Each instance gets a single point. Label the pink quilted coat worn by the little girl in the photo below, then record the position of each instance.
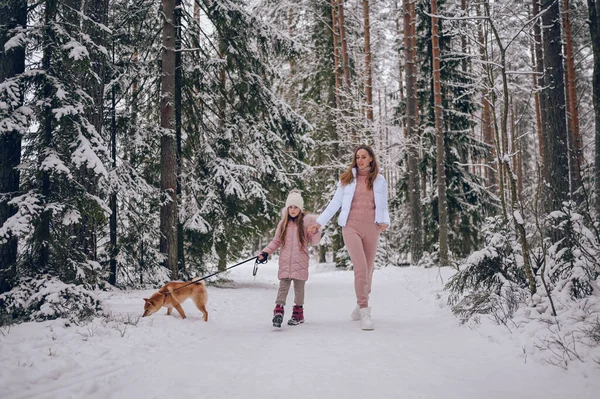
(293, 259)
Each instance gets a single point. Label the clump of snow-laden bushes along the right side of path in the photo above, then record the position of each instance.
(561, 319)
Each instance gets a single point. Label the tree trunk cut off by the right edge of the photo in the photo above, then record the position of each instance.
(594, 21)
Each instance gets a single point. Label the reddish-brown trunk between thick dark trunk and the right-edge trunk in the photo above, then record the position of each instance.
(575, 153)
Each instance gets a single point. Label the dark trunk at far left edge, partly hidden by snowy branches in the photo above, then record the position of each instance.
(13, 13)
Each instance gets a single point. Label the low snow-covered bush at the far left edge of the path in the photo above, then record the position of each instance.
(48, 298)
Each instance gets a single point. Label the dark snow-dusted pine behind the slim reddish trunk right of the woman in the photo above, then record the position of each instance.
(468, 201)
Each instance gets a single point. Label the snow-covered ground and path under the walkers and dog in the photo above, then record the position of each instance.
(417, 350)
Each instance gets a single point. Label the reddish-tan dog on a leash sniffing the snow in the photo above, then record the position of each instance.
(173, 294)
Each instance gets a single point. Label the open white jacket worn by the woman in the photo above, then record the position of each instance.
(343, 199)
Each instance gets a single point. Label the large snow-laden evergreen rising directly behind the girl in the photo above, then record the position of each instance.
(243, 143)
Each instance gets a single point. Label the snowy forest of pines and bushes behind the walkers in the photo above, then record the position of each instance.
(145, 141)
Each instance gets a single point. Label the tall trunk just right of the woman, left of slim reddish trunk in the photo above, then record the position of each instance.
(414, 182)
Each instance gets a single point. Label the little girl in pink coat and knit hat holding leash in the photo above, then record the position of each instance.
(292, 236)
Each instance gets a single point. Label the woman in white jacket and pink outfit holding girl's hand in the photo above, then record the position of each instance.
(362, 195)
